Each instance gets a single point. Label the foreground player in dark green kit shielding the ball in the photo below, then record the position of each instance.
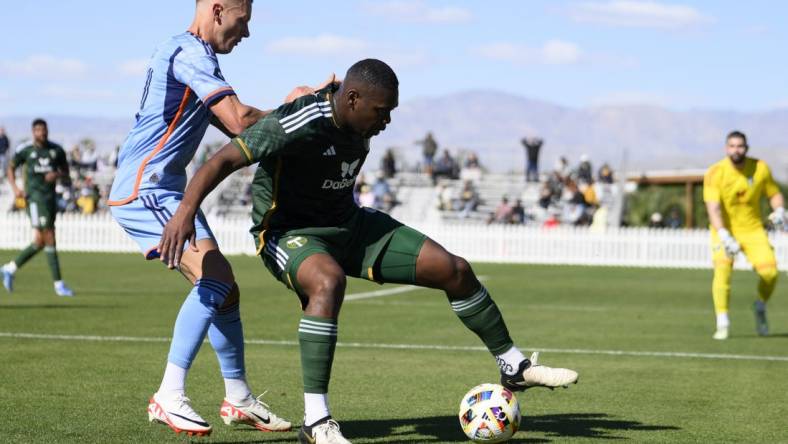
(311, 234)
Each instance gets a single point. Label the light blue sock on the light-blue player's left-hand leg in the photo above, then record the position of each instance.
(197, 313)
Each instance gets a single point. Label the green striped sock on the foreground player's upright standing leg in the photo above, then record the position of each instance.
(318, 339)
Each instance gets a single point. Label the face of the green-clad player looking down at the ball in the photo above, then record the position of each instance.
(371, 111)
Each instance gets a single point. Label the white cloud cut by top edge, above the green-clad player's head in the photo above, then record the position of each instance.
(417, 11)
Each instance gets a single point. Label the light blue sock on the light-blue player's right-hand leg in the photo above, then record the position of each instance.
(227, 339)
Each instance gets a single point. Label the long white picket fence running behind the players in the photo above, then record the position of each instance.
(633, 247)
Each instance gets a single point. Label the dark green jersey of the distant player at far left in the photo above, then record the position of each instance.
(37, 162)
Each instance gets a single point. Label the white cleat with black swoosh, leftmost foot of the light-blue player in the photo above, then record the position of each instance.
(177, 413)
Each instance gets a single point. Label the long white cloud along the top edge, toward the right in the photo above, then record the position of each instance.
(636, 13)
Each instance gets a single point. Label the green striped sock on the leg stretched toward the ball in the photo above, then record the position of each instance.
(480, 314)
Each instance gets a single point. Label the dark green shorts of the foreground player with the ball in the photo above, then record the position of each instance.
(372, 246)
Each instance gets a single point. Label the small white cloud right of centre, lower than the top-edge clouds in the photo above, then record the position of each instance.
(552, 52)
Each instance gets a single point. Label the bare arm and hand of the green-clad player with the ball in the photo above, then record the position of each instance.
(180, 228)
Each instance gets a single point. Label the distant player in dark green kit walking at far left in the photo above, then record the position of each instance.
(44, 163)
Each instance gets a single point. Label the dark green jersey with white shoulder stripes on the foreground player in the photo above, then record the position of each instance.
(307, 166)
